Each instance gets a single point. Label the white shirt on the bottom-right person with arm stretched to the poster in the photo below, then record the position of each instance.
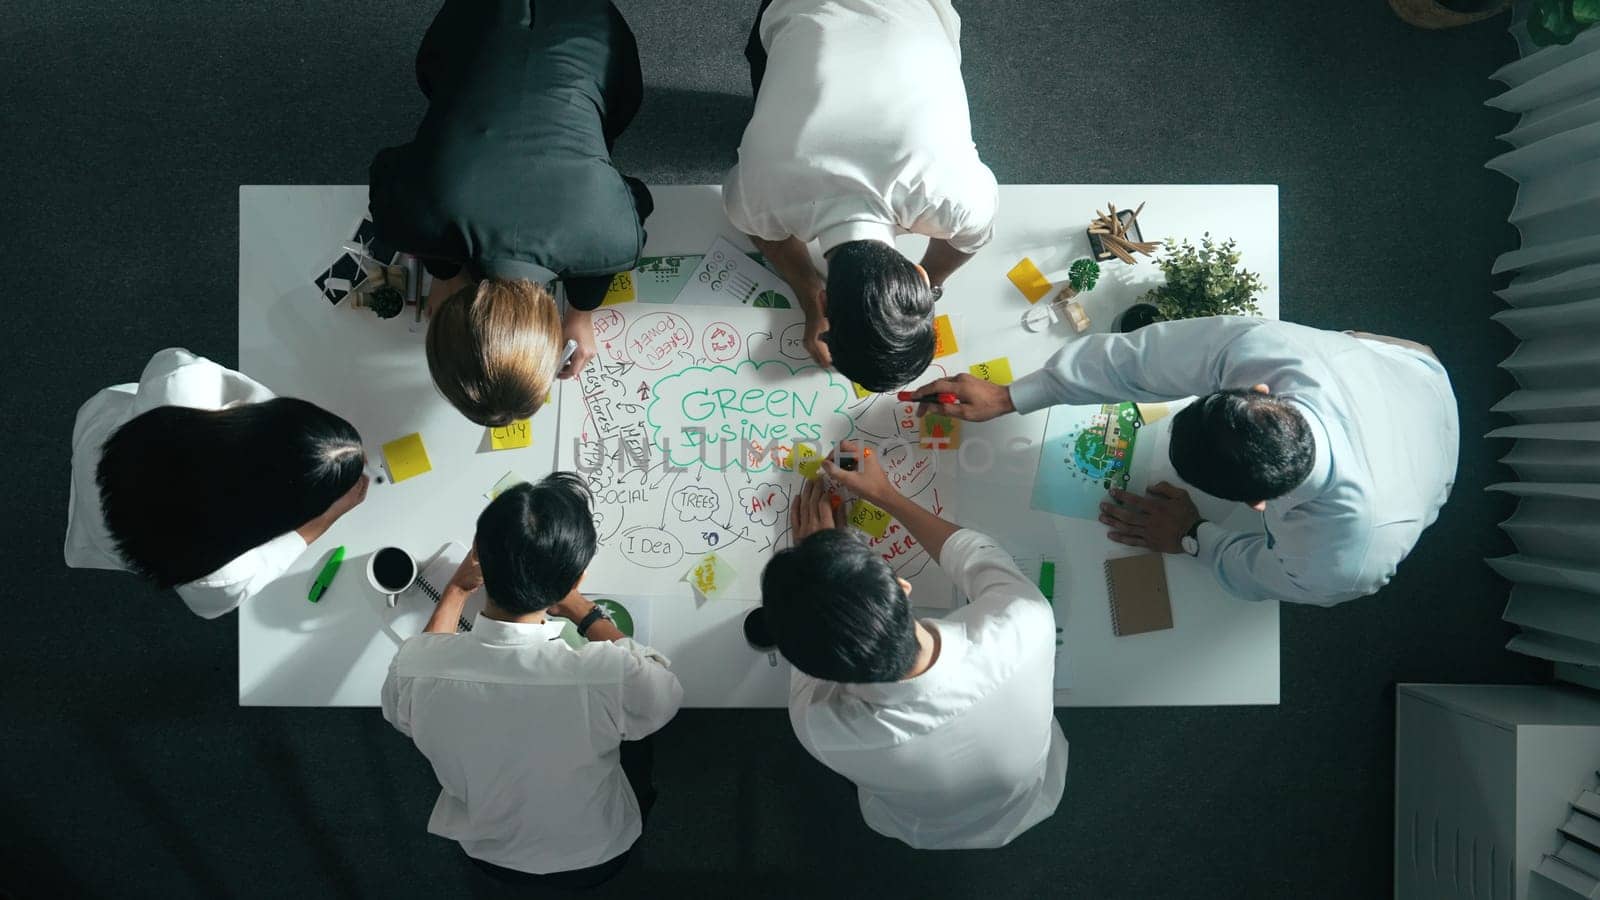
(969, 753)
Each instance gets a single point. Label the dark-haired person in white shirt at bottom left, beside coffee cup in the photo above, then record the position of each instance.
(537, 745)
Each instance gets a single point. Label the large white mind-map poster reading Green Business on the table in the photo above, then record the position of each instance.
(687, 428)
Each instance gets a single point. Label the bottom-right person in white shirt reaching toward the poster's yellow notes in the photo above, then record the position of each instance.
(946, 726)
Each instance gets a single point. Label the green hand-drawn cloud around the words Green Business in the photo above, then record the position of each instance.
(711, 416)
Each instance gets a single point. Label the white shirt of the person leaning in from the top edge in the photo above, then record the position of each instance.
(862, 129)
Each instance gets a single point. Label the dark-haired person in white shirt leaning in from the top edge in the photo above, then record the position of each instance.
(862, 134)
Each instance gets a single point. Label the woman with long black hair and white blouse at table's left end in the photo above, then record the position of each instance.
(202, 481)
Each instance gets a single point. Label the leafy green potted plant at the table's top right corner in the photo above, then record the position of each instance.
(1201, 281)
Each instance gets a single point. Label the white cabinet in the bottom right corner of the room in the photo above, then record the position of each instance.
(1484, 776)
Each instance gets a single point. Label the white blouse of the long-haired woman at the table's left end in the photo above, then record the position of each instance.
(172, 379)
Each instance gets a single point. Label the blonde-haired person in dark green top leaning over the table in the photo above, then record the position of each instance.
(508, 188)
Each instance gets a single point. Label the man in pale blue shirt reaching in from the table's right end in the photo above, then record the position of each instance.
(1345, 443)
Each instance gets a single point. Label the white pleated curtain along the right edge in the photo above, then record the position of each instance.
(1554, 302)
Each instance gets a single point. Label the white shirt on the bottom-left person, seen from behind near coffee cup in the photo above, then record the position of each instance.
(524, 736)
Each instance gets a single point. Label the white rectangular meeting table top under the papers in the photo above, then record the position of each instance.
(1222, 651)
